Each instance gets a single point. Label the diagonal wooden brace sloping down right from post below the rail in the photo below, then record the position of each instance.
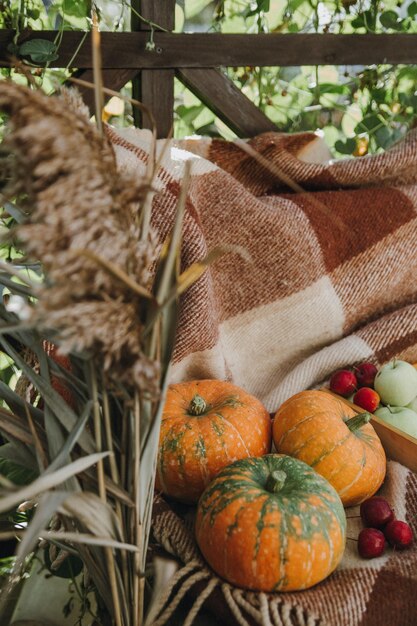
(222, 96)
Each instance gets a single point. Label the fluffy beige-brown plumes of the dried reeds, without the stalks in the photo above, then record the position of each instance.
(84, 227)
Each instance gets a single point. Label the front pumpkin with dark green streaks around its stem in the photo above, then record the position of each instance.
(271, 524)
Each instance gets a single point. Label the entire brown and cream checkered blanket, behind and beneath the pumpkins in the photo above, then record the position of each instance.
(331, 282)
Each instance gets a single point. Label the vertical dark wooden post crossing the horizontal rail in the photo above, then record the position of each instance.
(155, 88)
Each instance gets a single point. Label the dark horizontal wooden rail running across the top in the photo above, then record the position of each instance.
(181, 50)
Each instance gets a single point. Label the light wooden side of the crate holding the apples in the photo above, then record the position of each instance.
(398, 446)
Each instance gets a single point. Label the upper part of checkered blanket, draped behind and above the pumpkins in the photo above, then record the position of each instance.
(332, 275)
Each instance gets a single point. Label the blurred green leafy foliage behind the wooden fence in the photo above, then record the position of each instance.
(359, 109)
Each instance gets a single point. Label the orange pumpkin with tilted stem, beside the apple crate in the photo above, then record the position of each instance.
(310, 426)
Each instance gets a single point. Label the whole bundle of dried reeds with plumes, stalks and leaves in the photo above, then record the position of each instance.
(89, 227)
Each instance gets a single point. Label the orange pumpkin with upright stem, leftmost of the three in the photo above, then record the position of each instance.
(206, 425)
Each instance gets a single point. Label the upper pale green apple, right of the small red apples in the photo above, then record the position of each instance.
(396, 383)
